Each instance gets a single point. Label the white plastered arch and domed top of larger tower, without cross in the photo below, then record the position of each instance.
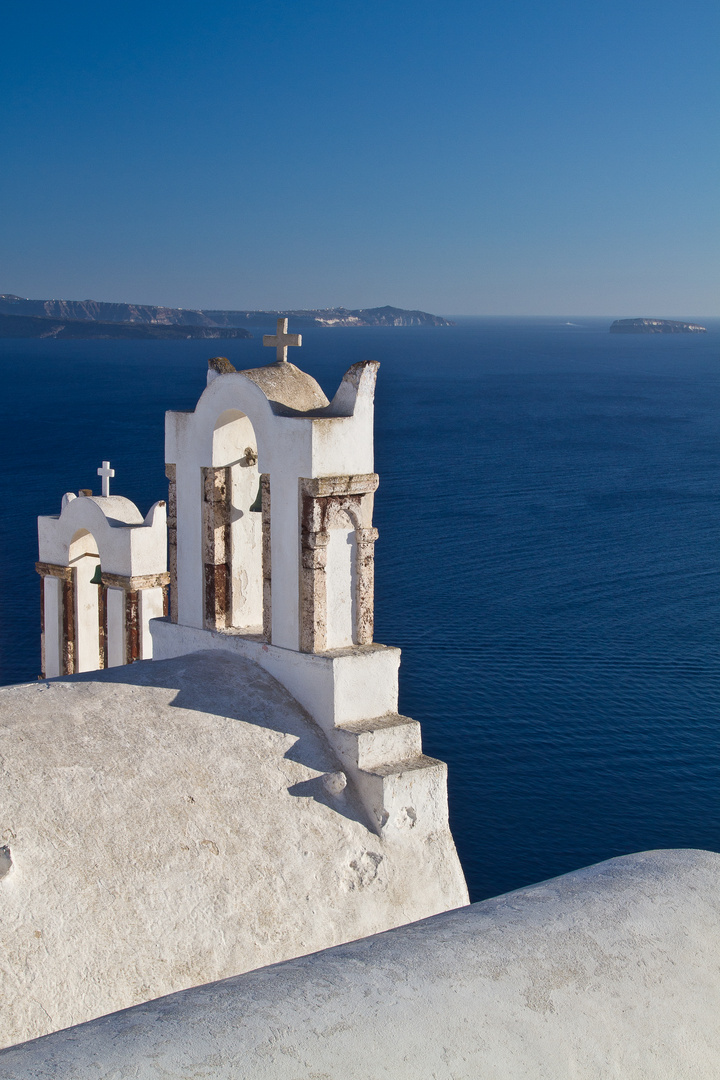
(300, 435)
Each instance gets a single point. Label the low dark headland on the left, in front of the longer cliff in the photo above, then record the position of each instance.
(31, 327)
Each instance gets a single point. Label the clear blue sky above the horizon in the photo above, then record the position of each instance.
(498, 158)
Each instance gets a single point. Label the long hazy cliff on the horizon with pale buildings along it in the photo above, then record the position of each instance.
(147, 315)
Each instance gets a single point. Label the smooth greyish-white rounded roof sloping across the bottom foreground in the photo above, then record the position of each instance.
(609, 974)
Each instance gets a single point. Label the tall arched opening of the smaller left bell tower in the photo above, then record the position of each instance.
(85, 560)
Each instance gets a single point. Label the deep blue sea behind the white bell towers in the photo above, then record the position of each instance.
(549, 557)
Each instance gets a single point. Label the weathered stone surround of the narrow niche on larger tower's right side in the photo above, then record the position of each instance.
(328, 503)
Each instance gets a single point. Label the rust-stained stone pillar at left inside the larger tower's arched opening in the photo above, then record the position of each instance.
(216, 547)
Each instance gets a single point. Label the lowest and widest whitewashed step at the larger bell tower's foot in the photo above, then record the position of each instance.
(406, 795)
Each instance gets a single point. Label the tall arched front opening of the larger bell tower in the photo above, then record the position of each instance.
(233, 529)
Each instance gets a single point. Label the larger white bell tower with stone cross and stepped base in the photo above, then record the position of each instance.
(271, 556)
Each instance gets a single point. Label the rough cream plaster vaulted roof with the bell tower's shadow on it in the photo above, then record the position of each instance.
(170, 825)
